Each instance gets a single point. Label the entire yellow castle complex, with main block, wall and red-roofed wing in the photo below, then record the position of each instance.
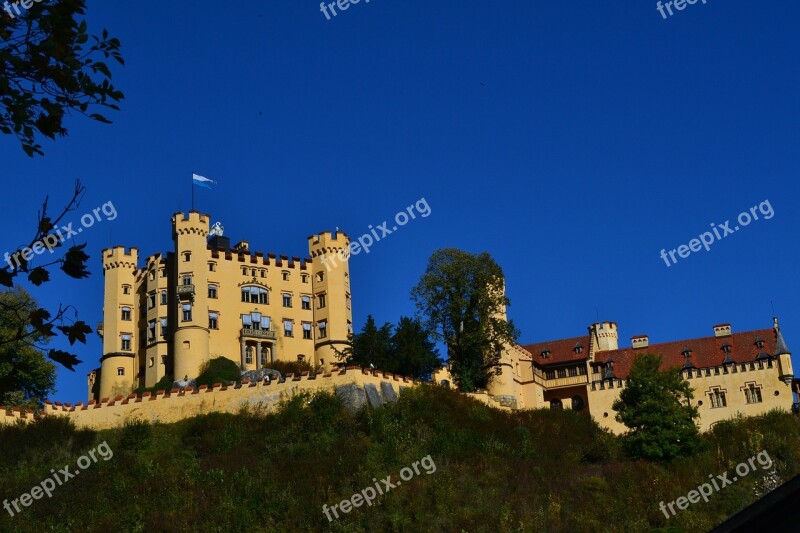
(207, 299)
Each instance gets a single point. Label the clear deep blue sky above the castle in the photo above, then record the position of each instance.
(570, 140)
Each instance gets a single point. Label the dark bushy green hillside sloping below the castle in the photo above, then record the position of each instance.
(494, 471)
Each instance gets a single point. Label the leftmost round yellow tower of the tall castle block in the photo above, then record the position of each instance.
(118, 365)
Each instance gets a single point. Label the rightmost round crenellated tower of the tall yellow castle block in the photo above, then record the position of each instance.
(333, 316)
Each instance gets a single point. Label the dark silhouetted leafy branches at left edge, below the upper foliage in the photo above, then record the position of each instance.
(33, 326)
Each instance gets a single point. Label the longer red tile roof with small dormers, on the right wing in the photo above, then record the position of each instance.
(706, 351)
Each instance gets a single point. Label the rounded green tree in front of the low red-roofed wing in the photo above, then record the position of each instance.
(656, 406)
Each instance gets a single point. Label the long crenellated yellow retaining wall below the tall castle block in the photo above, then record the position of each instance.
(355, 385)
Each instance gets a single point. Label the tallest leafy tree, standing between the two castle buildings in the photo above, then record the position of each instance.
(461, 296)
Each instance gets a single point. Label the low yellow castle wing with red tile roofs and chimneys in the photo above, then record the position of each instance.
(745, 373)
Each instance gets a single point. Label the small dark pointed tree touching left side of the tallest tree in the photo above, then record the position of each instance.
(413, 352)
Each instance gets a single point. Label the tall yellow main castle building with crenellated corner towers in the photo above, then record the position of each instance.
(208, 299)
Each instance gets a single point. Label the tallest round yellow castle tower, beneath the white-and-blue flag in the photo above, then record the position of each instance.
(190, 278)
